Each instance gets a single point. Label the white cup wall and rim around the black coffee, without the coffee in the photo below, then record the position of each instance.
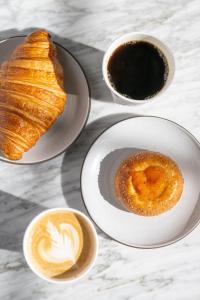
(132, 37)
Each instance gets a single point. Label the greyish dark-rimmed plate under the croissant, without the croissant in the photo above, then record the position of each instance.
(70, 124)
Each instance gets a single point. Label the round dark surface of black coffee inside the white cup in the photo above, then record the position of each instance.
(138, 70)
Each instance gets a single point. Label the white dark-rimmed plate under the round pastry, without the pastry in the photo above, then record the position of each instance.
(114, 145)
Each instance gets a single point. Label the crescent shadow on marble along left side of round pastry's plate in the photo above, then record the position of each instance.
(74, 157)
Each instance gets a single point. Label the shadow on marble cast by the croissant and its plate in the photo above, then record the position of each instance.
(90, 59)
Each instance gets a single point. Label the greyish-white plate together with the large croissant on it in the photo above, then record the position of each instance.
(44, 99)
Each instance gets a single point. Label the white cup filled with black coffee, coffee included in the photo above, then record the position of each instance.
(137, 68)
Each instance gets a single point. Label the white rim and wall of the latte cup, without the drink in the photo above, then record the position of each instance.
(90, 263)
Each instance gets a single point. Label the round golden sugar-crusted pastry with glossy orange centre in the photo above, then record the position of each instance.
(148, 183)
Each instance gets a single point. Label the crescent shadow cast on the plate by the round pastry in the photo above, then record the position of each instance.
(108, 169)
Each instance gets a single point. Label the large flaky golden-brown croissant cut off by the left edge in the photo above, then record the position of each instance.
(32, 95)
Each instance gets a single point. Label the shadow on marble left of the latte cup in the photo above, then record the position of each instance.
(15, 215)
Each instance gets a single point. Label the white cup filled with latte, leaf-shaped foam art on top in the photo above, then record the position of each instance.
(60, 245)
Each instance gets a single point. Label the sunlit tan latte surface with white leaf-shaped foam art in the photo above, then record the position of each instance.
(56, 243)
